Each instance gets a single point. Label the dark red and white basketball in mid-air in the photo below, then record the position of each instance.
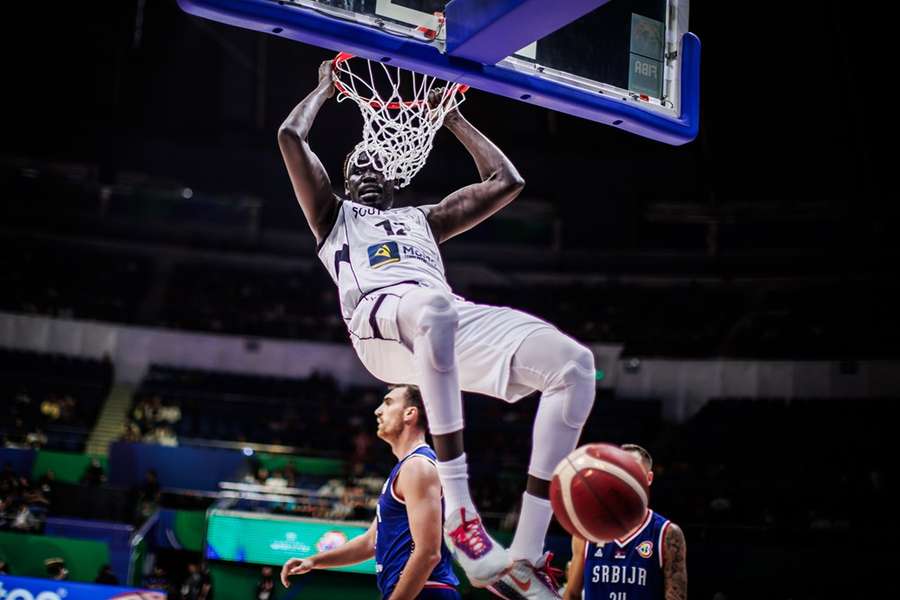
(599, 492)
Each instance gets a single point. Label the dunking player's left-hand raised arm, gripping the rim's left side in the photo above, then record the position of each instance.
(309, 178)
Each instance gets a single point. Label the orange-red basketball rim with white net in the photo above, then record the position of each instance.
(399, 123)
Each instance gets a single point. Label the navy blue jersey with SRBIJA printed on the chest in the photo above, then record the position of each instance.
(627, 569)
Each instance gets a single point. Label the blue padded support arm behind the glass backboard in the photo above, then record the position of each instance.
(488, 32)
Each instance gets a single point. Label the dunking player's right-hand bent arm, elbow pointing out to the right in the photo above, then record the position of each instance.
(469, 206)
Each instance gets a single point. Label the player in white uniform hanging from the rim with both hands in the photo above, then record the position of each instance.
(407, 326)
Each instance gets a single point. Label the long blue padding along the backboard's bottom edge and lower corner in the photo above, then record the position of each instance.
(339, 35)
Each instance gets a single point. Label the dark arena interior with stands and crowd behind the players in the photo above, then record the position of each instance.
(161, 308)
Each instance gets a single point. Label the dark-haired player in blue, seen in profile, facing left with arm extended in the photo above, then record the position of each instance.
(405, 537)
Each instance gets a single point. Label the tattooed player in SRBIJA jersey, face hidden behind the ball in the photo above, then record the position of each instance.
(647, 564)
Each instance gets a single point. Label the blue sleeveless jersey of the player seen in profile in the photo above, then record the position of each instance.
(393, 540)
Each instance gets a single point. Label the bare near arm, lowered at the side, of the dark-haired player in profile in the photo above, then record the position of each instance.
(419, 486)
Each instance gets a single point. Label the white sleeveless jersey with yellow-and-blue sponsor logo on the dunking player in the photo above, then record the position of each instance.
(369, 249)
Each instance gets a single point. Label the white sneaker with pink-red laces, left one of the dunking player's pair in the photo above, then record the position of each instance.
(484, 560)
